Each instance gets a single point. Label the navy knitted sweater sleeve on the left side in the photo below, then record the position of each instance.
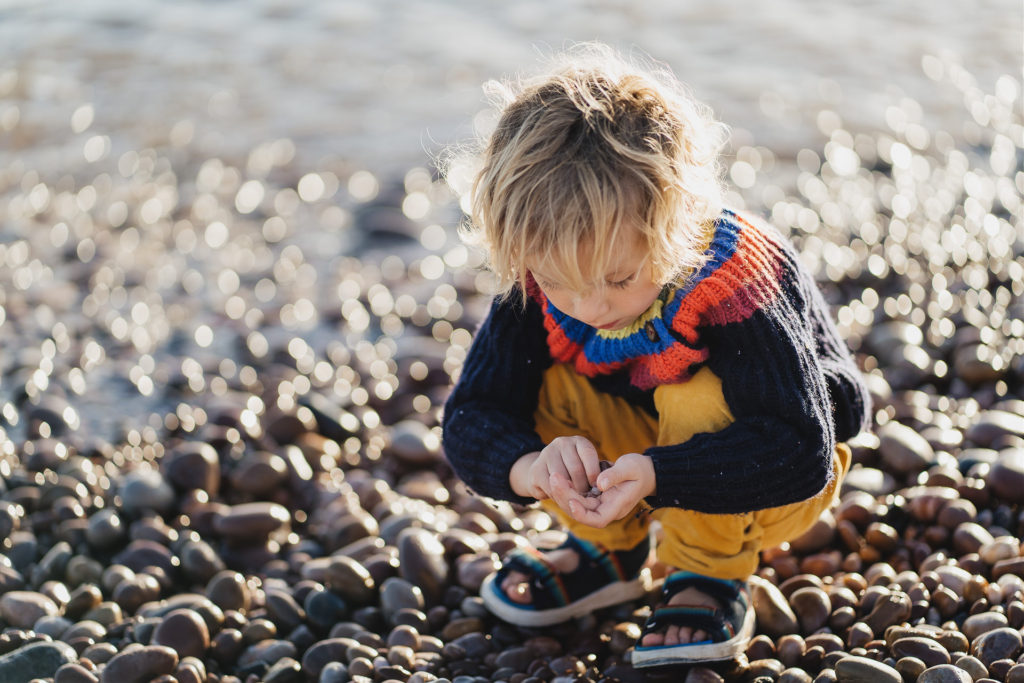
(489, 416)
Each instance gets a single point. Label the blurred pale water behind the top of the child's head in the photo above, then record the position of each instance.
(383, 86)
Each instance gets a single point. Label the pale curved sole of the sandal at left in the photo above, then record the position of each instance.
(613, 594)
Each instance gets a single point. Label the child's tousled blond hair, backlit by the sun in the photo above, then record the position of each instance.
(595, 146)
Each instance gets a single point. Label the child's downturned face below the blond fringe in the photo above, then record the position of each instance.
(625, 292)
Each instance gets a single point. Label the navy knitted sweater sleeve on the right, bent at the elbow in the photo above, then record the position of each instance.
(780, 449)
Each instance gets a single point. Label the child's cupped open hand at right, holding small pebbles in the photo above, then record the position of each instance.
(624, 485)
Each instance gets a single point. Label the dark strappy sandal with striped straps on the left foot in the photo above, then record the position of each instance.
(603, 579)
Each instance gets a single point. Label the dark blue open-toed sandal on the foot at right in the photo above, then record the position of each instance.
(730, 628)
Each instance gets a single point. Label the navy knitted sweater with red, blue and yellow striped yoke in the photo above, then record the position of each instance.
(753, 315)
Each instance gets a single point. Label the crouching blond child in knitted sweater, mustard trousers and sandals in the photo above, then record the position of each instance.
(641, 324)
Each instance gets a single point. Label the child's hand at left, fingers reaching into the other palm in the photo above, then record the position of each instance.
(573, 458)
